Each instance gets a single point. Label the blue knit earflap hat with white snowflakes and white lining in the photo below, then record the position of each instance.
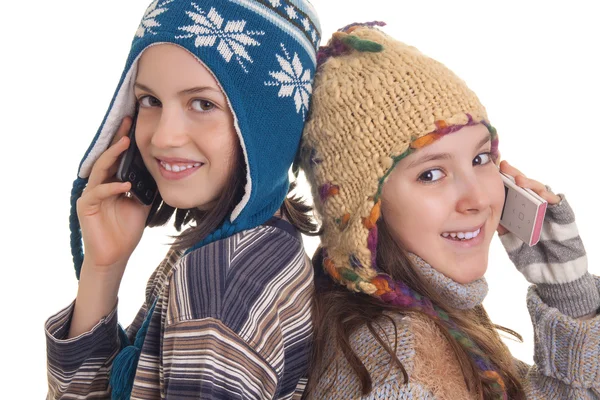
(263, 54)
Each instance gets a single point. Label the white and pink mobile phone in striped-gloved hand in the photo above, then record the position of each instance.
(523, 212)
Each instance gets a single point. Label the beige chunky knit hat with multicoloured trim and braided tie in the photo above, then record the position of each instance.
(375, 101)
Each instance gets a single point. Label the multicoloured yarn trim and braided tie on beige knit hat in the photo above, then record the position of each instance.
(371, 280)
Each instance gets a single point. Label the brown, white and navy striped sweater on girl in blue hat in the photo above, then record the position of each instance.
(232, 321)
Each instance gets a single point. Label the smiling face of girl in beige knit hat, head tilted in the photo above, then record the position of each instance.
(444, 202)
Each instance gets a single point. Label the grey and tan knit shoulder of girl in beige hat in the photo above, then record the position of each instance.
(423, 351)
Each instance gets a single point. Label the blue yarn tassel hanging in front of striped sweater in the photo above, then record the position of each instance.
(125, 363)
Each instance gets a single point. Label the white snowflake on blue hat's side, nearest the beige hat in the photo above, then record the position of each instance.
(293, 80)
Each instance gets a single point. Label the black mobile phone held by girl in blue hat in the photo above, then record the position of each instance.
(132, 169)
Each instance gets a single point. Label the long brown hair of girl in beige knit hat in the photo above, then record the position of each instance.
(338, 312)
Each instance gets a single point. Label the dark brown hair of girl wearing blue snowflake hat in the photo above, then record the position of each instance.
(295, 210)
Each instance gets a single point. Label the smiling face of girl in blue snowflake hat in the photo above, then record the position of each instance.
(185, 130)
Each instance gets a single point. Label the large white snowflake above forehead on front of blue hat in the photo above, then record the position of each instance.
(233, 40)
